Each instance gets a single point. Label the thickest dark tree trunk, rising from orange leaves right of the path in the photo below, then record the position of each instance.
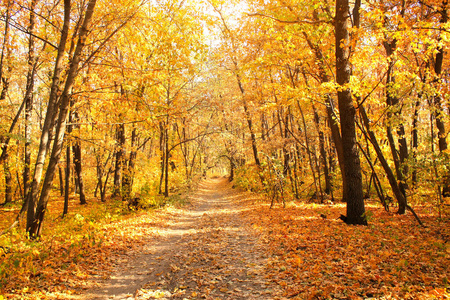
(347, 111)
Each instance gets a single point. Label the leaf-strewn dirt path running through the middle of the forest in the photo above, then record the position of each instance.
(207, 251)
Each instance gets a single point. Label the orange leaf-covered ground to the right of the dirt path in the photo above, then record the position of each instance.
(314, 257)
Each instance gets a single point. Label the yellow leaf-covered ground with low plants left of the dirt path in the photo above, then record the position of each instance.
(87, 244)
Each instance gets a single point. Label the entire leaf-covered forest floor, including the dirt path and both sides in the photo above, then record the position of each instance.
(228, 244)
